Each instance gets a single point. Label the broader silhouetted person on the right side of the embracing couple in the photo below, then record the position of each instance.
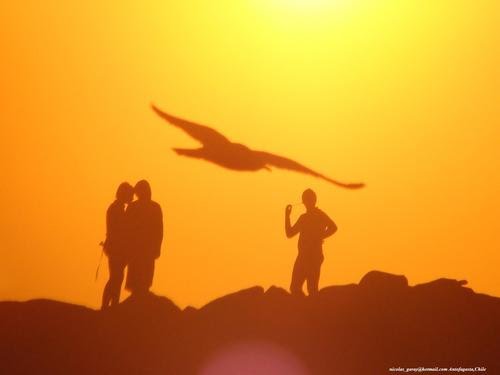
(145, 222)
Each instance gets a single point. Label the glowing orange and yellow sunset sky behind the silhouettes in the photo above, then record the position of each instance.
(401, 95)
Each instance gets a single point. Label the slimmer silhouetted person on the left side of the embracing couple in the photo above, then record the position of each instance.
(115, 245)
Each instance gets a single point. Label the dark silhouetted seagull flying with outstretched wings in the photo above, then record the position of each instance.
(219, 150)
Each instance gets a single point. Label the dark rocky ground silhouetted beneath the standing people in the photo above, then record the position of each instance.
(349, 329)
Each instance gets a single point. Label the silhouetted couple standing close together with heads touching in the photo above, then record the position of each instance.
(134, 232)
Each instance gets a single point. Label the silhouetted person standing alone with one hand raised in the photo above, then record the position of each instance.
(313, 227)
